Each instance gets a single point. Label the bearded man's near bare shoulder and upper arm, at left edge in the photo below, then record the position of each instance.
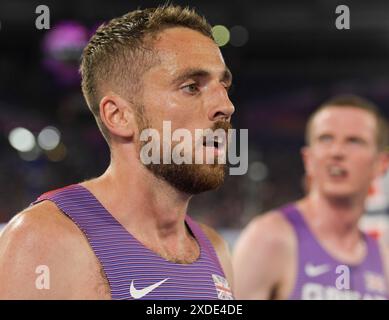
(41, 236)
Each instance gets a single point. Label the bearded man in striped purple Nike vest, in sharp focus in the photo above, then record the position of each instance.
(125, 234)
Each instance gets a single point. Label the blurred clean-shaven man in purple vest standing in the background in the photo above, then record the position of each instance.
(313, 248)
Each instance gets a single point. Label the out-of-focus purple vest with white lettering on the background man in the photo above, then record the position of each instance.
(321, 277)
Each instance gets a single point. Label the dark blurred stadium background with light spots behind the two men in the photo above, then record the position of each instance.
(286, 57)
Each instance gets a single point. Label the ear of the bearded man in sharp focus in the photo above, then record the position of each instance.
(118, 116)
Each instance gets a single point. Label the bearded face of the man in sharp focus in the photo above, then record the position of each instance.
(188, 87)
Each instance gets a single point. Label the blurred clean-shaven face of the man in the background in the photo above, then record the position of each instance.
(343, 157)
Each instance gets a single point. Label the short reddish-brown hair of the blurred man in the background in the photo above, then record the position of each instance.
(353, 101)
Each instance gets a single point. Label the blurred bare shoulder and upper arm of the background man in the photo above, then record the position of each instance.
(261, 256)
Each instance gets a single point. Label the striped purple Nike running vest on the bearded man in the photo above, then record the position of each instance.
(132, 270)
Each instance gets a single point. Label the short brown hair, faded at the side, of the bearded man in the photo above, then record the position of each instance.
(121, 51)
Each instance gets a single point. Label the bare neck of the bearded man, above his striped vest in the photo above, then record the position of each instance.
(140, 201)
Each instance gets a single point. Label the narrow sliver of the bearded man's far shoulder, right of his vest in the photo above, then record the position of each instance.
(222, 250)
